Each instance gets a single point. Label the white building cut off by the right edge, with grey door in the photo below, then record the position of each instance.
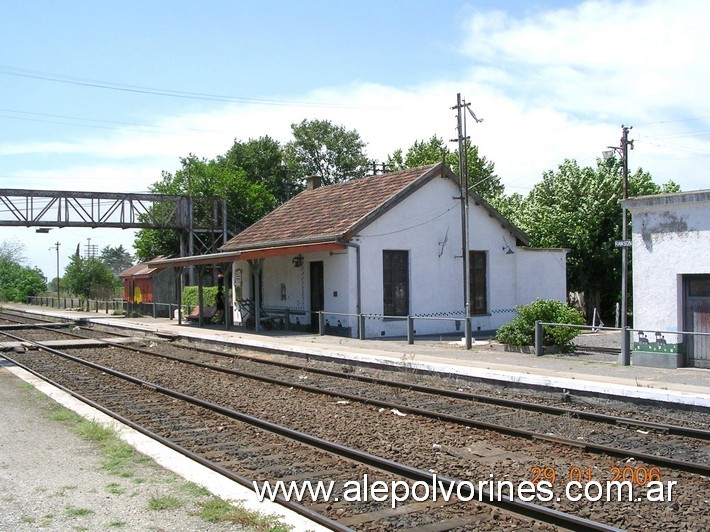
(671, 278)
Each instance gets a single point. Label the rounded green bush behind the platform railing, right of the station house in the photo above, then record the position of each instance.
(521, 330)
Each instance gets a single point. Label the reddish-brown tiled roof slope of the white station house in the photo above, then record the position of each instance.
(329, 212)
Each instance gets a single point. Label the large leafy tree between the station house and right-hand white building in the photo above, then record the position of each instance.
(579, 209)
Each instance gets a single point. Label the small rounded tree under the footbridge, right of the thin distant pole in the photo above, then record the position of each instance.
(90, 278)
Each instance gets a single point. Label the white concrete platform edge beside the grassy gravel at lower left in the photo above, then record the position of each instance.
(170, 459)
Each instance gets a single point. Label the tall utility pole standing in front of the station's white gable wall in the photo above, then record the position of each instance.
(463, 177)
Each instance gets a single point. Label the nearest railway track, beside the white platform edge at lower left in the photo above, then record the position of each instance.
(211, 430)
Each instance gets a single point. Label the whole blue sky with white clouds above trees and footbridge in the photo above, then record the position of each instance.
(105, 96)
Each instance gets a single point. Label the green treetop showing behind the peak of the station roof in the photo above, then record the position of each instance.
(482, 178)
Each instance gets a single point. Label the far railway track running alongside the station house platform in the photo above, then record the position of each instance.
(465, 409)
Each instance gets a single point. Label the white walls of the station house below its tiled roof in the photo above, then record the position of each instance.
(427, 224)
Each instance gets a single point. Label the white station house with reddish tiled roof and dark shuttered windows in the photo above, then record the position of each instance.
(389, 246)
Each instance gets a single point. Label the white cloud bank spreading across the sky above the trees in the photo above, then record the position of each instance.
(550, 85)
